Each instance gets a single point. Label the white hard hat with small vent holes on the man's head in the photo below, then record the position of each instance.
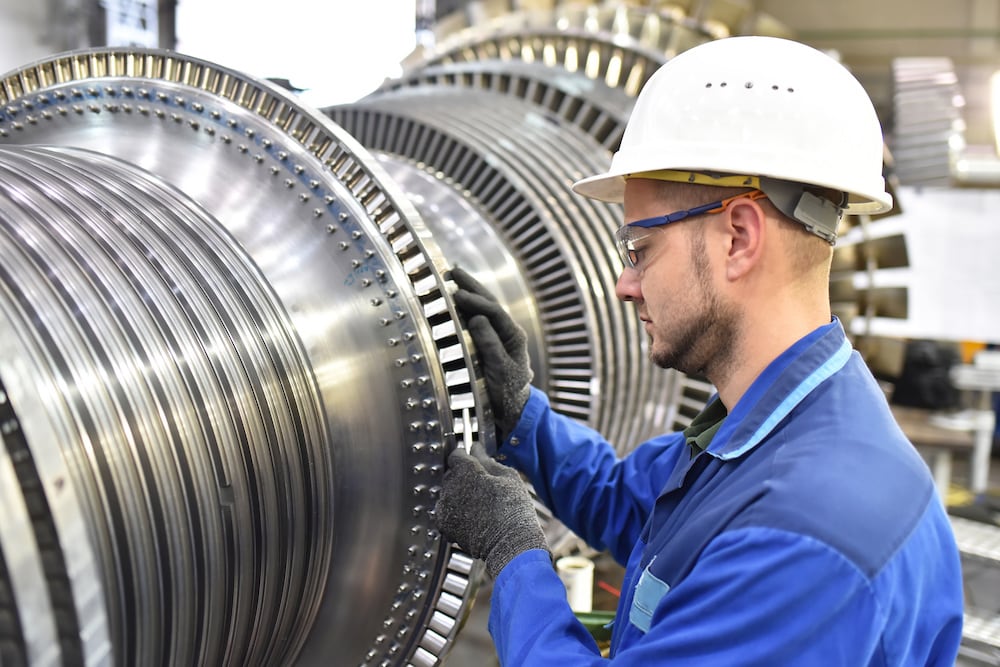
(761, 106)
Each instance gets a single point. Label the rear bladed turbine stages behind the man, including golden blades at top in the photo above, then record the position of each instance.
(551, 83)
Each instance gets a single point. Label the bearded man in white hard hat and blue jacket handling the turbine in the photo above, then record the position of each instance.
(792, 523)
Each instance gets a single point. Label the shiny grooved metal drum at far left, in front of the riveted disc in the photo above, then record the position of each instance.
(103, 267)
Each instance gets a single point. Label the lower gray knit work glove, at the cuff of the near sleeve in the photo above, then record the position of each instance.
(486, 509)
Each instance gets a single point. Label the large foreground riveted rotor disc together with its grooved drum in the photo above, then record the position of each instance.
(231, 350)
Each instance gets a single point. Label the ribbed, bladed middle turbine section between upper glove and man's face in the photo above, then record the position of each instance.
(593, 349)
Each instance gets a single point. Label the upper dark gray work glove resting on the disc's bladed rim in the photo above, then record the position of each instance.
(503, 350)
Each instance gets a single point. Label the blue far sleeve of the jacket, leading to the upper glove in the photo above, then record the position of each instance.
(576, 473)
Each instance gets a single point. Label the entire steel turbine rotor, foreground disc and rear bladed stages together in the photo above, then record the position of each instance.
(230, 367)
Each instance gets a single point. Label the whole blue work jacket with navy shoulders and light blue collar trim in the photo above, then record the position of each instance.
(808, 533)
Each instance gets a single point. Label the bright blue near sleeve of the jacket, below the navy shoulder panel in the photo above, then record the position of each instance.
(756, 597)
